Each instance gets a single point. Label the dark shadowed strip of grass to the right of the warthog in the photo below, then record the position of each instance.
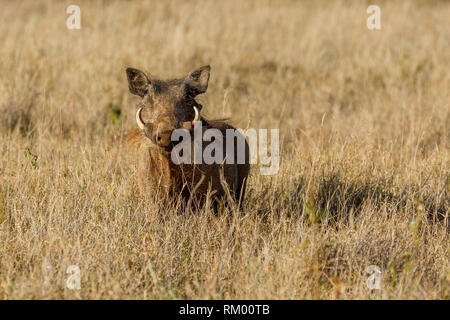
(335, 199)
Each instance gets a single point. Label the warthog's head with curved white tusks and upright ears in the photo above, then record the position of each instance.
(167, 105)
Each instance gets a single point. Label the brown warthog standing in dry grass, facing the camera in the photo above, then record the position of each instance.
(168, 105)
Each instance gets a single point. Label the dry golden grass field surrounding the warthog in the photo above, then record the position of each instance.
(364, 129)
